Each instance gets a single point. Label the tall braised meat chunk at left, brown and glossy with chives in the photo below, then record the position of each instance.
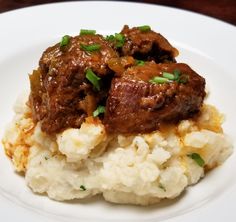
(62, 94)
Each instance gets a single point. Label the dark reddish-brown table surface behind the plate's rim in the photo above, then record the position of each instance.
(222, 9)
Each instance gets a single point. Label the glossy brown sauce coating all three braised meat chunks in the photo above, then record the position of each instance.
(62, 96)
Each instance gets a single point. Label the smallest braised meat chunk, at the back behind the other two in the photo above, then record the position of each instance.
(144, 44)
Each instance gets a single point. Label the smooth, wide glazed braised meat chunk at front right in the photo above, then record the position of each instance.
(145, 96)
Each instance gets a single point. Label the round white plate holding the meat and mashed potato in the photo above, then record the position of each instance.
(208, 45)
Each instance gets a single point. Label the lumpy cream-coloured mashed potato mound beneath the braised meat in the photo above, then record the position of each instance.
(140, 169)
